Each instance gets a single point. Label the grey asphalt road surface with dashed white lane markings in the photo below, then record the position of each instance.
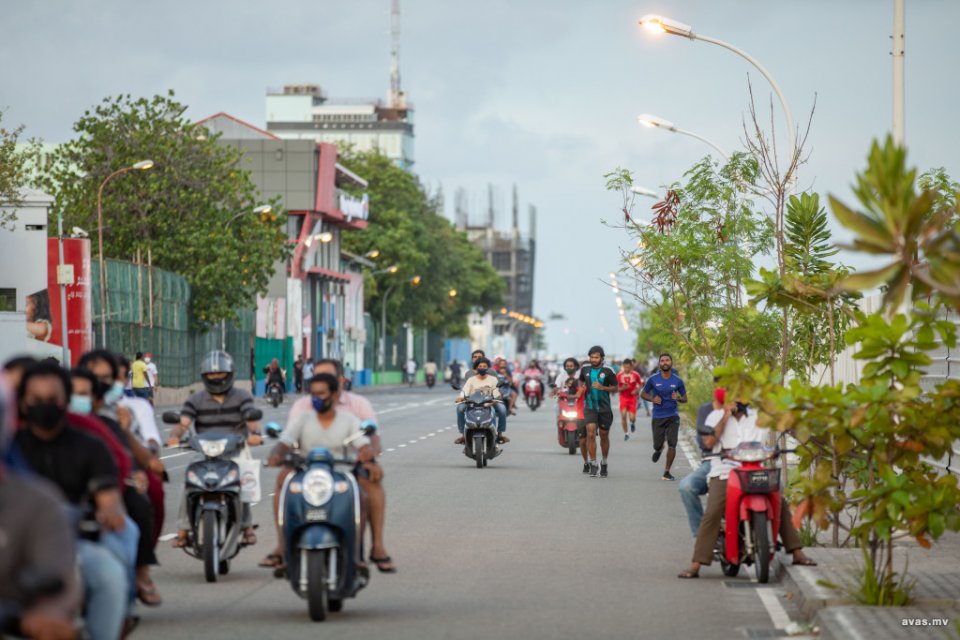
(527, 548)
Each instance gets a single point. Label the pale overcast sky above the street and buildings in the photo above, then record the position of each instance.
(541, 93)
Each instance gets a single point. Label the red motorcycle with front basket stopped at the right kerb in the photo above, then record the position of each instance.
(753, 502)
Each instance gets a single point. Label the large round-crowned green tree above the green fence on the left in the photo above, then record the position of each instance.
(193, 211)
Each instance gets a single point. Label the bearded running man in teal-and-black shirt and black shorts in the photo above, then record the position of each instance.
(597, 383)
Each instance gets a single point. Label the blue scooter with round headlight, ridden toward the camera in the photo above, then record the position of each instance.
(320, 518)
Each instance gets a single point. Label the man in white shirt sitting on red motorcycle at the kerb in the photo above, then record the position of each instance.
(732, 426)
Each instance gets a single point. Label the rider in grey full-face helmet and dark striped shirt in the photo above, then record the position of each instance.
(220, 406)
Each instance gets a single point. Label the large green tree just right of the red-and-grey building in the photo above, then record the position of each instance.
(407, 226)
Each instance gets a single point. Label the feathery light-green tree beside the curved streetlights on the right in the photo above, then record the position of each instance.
(694, 257)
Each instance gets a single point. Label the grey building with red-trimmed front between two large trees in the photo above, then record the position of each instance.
(311, 298)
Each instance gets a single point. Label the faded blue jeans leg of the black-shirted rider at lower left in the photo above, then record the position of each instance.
(106, 587)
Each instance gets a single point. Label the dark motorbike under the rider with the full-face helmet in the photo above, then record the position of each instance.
(212, 494)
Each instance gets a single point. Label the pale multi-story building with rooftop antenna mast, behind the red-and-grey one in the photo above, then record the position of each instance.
(303, 112)
